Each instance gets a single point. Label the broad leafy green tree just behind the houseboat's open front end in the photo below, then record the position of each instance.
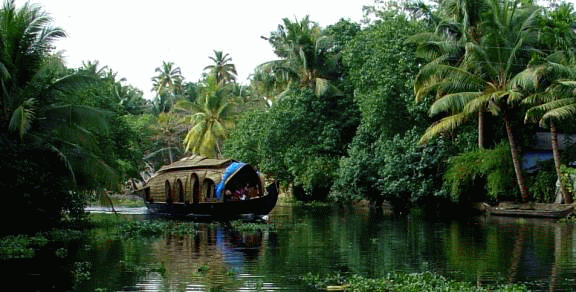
(318, 130)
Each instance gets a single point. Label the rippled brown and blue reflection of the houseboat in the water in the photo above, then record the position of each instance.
(219, 258)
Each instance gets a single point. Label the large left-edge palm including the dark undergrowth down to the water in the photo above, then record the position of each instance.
(49, 133)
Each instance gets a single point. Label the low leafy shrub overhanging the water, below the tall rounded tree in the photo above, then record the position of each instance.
(397, 170)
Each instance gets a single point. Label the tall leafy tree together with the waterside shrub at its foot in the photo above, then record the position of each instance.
(383, 160)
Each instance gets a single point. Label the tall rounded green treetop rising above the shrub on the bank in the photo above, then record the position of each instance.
(381, 66)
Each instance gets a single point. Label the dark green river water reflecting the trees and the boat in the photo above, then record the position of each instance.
(323, 240)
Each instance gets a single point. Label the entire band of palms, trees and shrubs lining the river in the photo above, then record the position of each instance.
(413, 106)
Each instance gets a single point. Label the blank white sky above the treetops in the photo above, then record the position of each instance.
(133, 37)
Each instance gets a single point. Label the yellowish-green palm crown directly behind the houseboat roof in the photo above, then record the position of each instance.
(209, 119)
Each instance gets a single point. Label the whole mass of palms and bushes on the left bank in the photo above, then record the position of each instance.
(62, 131)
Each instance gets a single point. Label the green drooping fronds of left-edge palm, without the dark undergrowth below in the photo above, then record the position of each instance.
(36, 97)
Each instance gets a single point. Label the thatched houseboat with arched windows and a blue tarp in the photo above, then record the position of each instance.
(198, 185)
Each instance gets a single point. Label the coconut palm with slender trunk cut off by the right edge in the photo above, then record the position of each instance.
(552, 81)
